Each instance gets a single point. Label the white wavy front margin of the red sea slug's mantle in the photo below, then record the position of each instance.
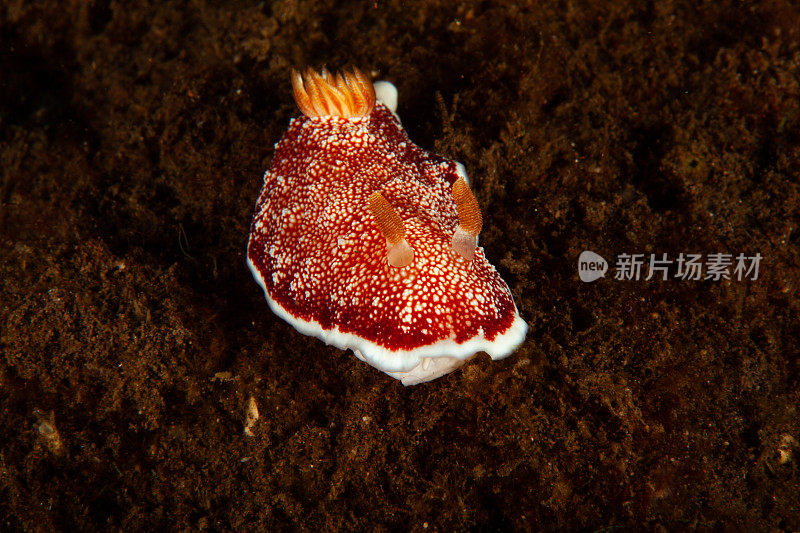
(411, 367)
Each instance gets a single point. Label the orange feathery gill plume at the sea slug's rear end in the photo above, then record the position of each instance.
(346, 94)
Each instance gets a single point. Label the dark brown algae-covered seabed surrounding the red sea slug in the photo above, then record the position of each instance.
(133, 141)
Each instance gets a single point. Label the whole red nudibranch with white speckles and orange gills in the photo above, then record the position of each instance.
(367, 242)
